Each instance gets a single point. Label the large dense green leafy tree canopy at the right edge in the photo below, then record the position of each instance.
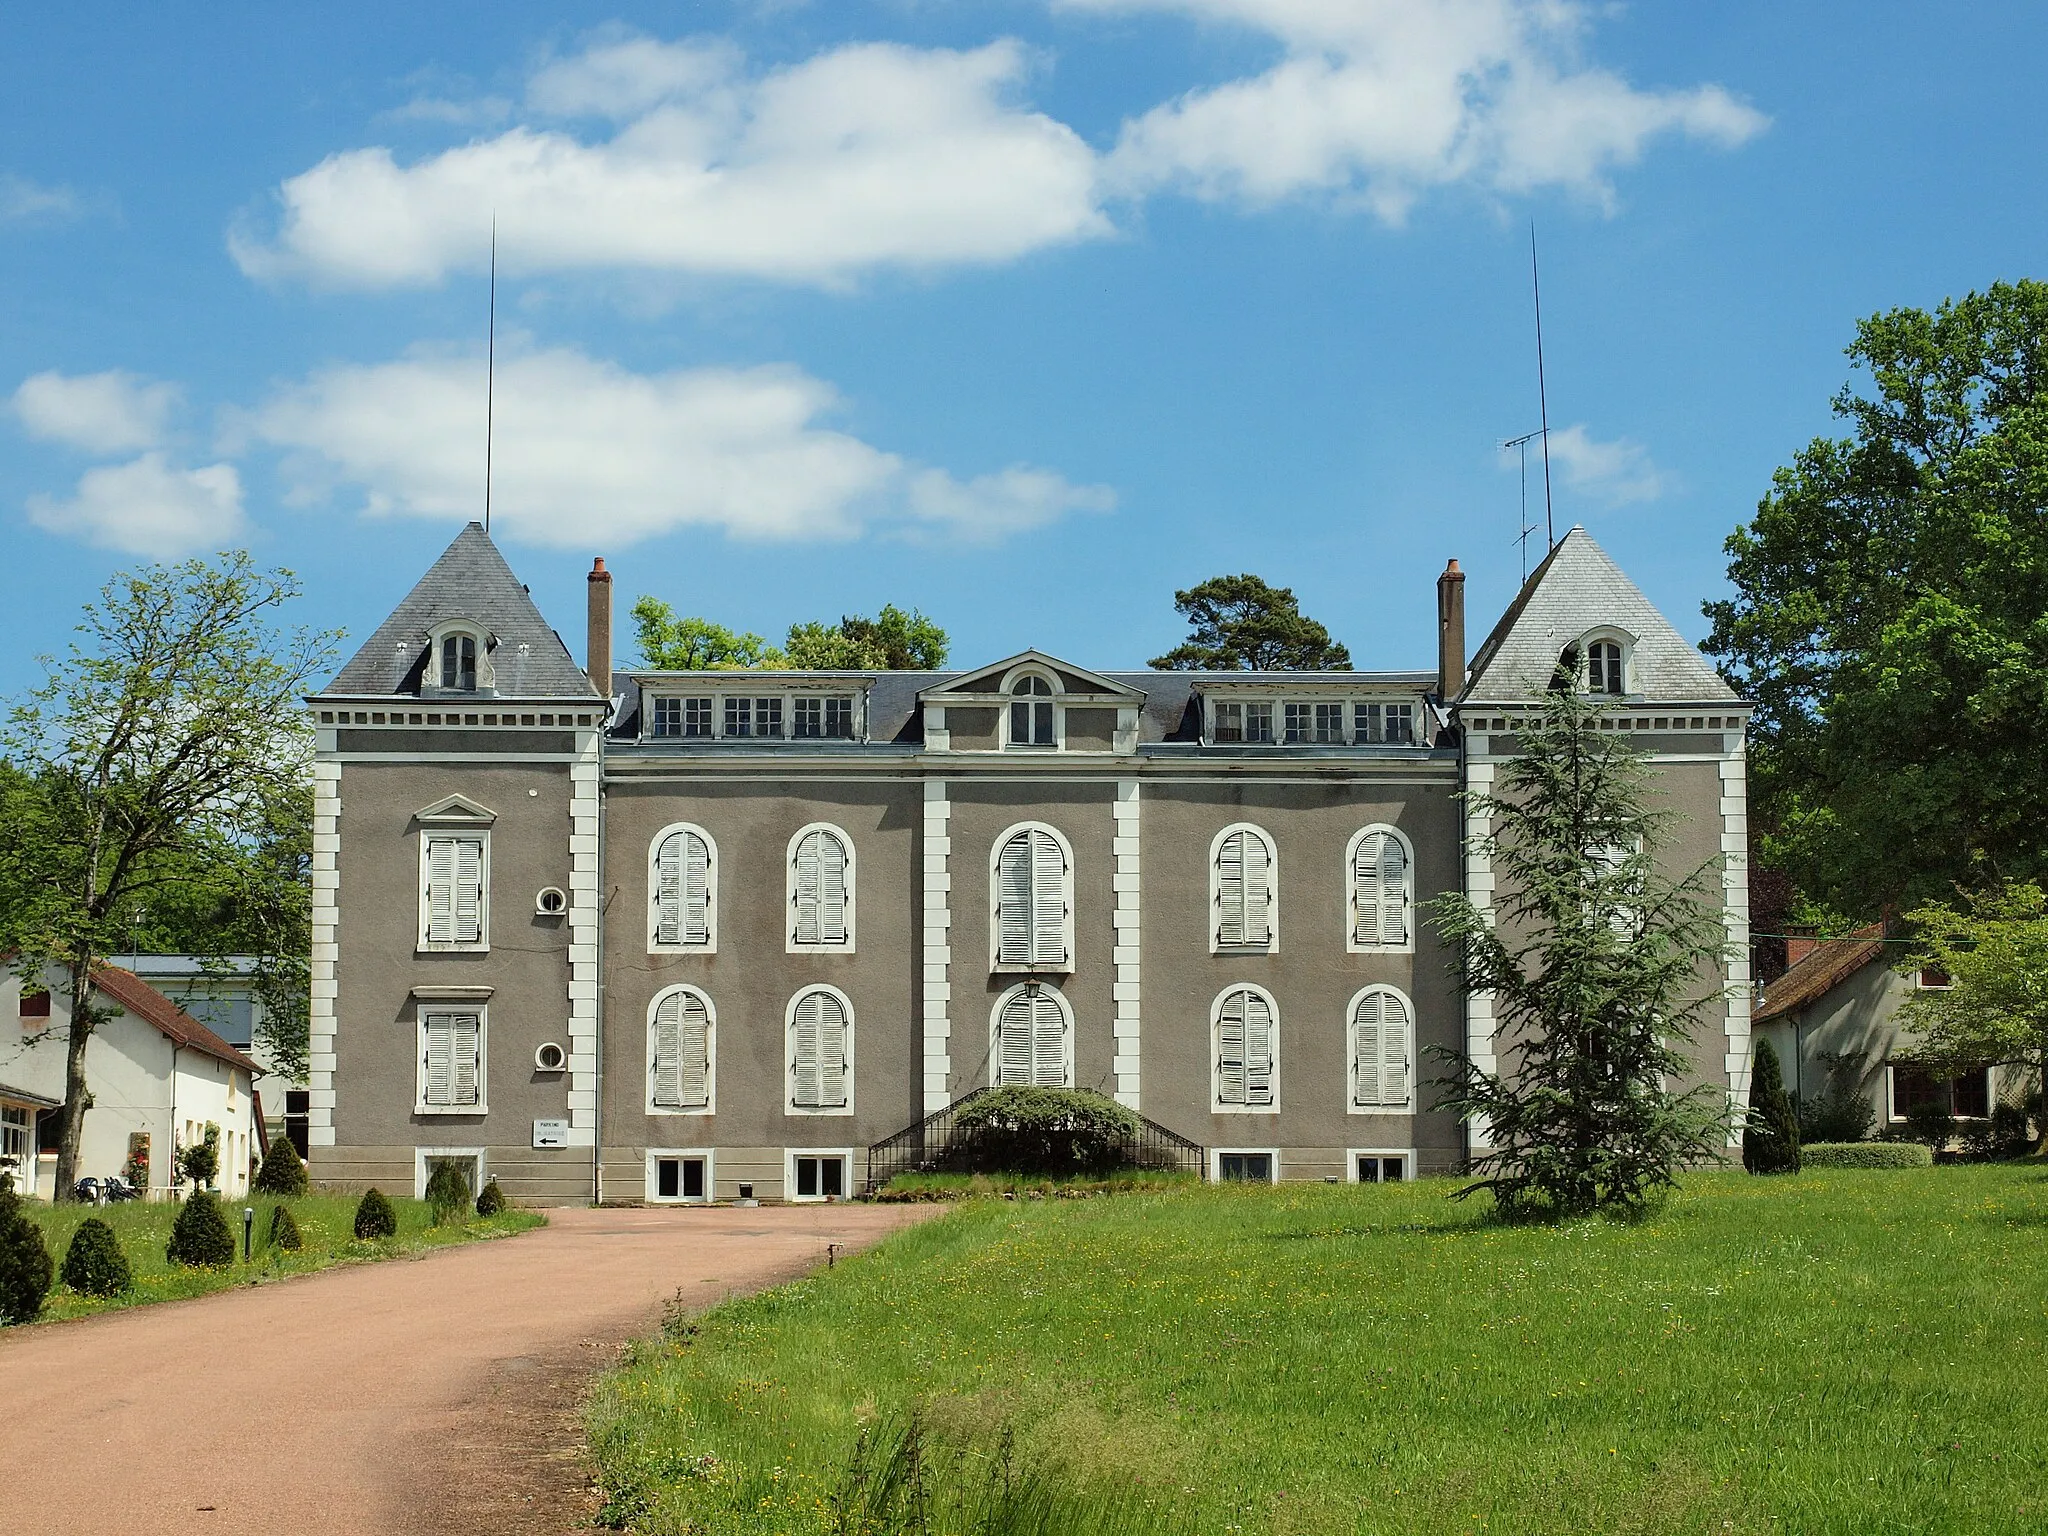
(1891, 617)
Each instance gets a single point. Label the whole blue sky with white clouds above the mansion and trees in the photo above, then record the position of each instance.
(1025, 314)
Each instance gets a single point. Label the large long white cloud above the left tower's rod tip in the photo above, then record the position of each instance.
(865, 157)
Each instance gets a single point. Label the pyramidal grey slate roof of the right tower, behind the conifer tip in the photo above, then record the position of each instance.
(1574, 591)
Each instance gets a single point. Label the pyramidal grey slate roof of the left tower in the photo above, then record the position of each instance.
(470, 581)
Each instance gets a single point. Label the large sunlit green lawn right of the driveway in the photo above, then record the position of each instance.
(1834, 1353)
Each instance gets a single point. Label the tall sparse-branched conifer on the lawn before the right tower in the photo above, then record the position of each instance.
(1594, 962)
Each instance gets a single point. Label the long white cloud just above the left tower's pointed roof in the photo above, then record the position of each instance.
(593, 454)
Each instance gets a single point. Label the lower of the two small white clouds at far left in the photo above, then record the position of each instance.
(148, 509)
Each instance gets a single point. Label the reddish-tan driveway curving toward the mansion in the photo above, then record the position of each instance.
(429, 1396)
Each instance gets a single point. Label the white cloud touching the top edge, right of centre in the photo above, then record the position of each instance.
(1388, 99)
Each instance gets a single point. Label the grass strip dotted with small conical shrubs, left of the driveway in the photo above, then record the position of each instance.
(327, 1224)
